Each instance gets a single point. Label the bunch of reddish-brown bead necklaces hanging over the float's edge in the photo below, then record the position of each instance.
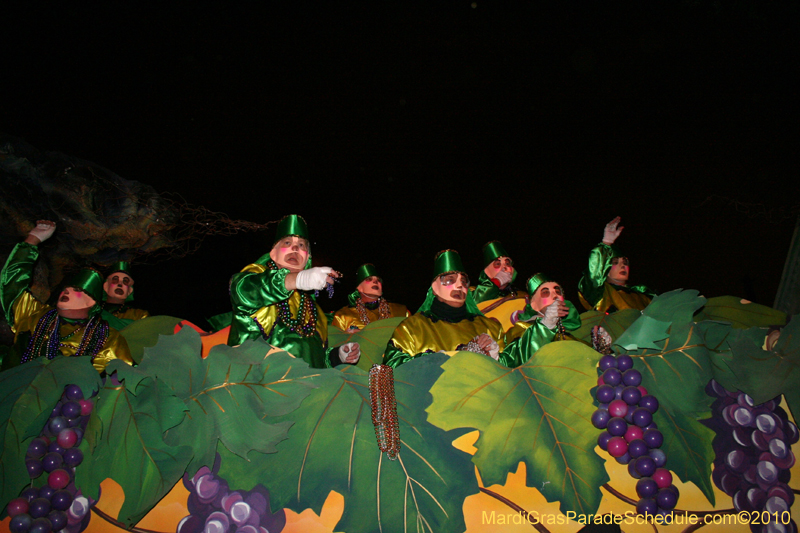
(384, 409)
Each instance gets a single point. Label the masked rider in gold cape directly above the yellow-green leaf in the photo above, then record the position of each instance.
(448, 320)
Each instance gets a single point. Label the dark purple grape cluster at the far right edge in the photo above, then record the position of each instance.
(753, 456)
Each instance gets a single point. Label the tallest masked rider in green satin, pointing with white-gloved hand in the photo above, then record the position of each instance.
(274, 299)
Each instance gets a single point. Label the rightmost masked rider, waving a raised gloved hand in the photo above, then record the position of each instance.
(604, 284)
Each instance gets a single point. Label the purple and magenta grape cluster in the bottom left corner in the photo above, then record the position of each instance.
(52, 456)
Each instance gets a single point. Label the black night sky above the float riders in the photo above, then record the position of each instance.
(398, 131)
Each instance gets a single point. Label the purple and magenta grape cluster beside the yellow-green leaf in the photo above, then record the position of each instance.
(625, 414)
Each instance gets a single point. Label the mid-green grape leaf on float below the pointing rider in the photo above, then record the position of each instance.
(228, 394)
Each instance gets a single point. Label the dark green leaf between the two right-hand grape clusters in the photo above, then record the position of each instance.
(687, 445)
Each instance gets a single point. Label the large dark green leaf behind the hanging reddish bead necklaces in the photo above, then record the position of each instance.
(332, 446)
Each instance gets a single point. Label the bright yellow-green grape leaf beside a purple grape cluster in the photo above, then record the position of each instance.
(539, 413)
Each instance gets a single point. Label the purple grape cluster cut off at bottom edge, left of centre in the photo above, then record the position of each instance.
(214, 508)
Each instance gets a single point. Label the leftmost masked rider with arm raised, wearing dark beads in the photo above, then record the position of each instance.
(73, 328)
